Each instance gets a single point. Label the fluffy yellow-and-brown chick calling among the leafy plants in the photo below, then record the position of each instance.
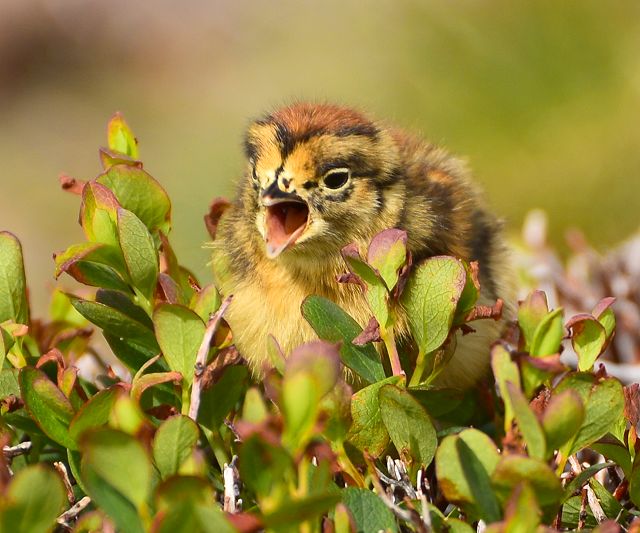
(319, 177)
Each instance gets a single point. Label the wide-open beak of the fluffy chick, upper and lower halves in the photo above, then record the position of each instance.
(286, 218)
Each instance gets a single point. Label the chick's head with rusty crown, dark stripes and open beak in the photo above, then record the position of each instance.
(316, 177)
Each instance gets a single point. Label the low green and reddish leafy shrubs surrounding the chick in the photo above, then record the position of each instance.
(171, 432)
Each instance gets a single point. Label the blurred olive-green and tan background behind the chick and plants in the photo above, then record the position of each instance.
(543, 97)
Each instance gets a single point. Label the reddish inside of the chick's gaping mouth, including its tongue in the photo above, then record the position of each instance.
(285, 222)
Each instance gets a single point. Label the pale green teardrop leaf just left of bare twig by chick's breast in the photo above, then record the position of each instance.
(179, 332)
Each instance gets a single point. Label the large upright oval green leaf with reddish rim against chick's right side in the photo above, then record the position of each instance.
(430, 299)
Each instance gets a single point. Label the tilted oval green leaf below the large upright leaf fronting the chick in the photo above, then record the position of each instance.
(409, 426)
